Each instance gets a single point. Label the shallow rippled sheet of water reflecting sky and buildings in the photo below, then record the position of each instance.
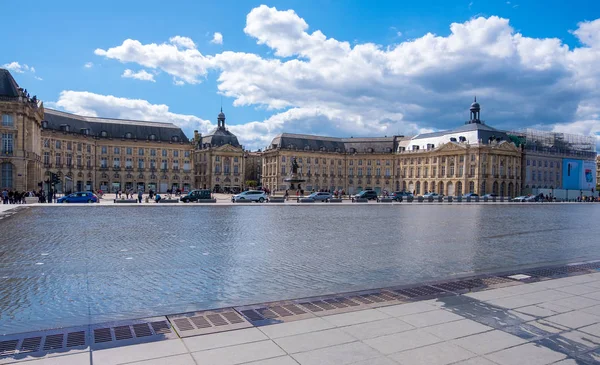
(104, 263)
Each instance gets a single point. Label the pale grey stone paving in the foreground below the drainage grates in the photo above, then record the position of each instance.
(546, 322)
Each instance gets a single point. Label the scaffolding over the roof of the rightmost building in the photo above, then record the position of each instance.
(556, 143)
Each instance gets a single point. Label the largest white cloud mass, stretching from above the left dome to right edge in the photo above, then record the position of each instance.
(317, 84)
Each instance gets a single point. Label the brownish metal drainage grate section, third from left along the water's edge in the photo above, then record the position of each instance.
(205, 322)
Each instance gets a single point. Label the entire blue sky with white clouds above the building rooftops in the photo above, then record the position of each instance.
(273, 74)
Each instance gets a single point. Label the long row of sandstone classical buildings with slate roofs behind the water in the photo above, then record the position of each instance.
(92, 153)
